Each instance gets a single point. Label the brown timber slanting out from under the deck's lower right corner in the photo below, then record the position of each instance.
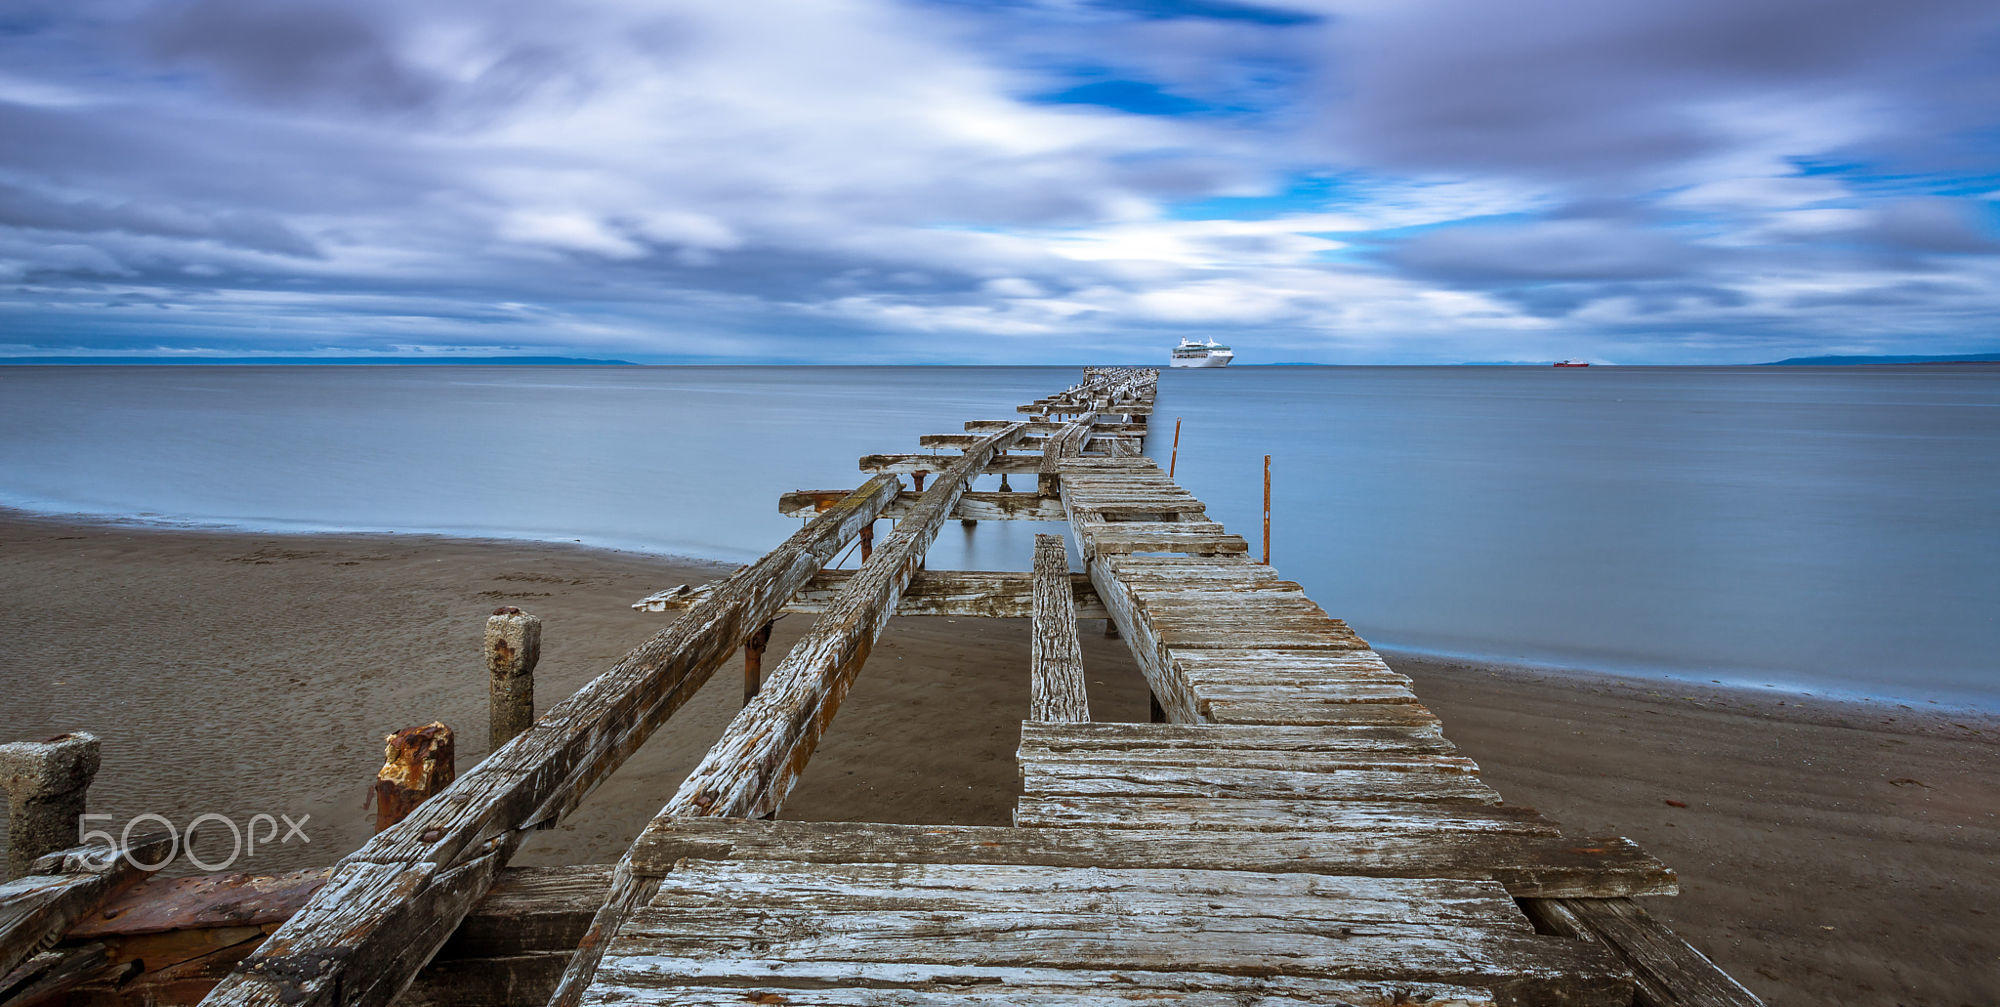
(1669, 970)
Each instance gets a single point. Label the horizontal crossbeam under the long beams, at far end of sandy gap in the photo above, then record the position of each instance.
(987, 594)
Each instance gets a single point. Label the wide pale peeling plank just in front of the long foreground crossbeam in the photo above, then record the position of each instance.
(1303, 900)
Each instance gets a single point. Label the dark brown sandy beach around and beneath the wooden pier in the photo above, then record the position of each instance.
(1829, 852)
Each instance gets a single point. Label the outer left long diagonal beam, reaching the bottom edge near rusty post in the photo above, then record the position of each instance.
(393, 904)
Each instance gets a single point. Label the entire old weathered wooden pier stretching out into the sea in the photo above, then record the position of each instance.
(1293, 828)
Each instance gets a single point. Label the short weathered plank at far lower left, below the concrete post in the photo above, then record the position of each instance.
(63, 888)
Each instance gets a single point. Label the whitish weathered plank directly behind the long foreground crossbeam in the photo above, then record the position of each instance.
(1279, 814)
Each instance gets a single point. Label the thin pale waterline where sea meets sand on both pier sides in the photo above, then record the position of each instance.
(1637, 676)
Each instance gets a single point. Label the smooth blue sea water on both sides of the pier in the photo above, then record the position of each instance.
(1831, 530)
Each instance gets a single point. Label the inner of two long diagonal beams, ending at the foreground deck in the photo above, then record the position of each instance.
(763, 752)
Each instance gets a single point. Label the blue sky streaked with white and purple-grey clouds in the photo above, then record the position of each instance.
(1039, 181)
